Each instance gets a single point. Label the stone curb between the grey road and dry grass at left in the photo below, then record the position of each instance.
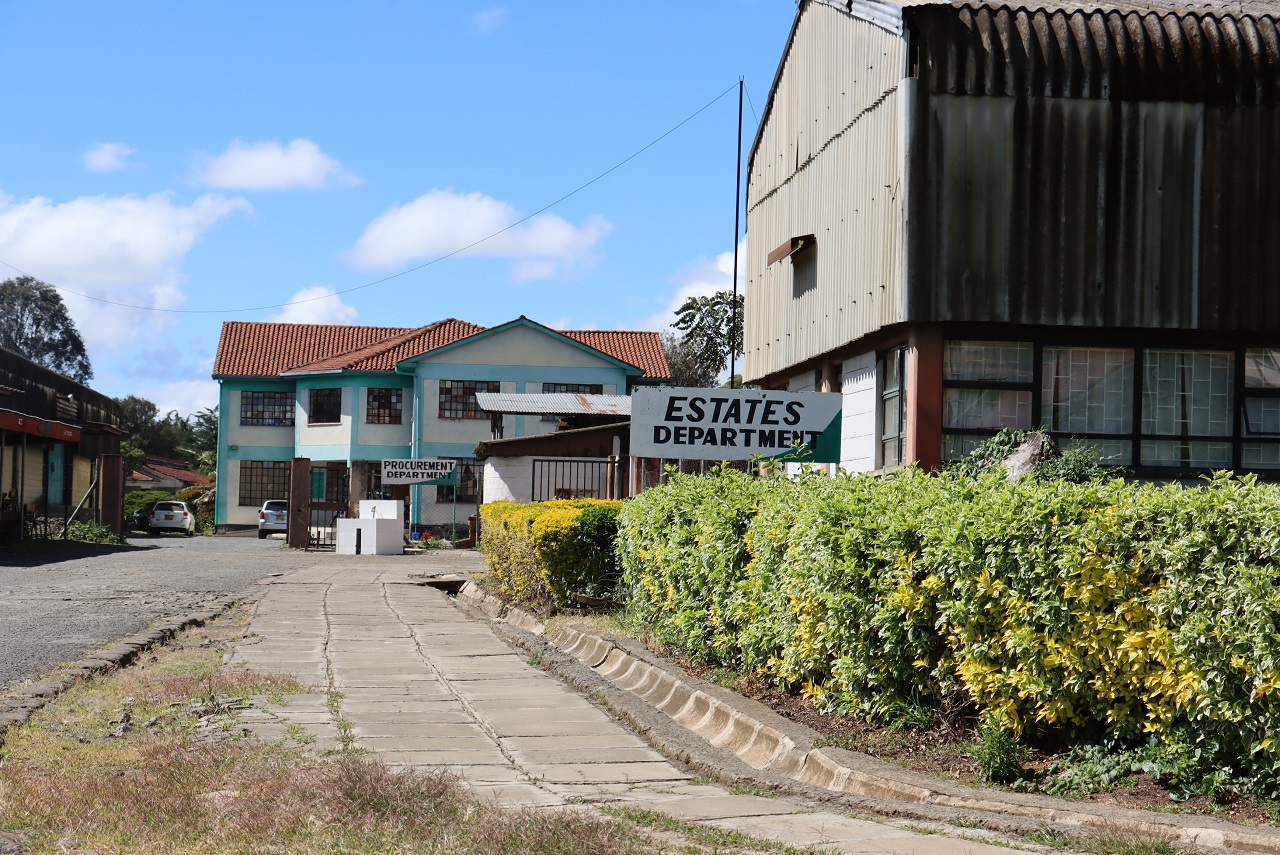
(19, 706)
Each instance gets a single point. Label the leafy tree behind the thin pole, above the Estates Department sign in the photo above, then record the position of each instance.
(703, 351)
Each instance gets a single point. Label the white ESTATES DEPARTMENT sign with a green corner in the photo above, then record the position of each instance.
(735, 424)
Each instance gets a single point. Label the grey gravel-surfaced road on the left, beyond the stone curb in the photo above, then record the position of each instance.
(53, 609)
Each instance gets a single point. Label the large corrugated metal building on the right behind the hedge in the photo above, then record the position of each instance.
(973, 217)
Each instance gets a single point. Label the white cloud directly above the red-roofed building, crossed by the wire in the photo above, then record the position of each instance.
(444, 222)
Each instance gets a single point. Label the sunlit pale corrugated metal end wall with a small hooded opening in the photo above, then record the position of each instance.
(830, 163)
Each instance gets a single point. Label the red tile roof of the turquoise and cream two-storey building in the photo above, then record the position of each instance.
(250, 349)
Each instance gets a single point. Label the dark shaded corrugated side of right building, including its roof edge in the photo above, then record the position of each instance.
(1096, 170)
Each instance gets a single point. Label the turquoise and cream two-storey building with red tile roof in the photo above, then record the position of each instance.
(349, 397)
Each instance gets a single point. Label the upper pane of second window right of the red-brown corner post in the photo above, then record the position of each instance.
(1087, 391)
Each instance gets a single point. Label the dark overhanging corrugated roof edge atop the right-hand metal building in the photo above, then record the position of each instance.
(1131, 52)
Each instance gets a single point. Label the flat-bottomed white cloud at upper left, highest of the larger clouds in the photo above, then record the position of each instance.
(269, 166)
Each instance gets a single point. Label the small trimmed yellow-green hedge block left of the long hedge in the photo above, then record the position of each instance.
(541, 554)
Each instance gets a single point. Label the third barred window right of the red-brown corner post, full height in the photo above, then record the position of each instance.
(1187, 397)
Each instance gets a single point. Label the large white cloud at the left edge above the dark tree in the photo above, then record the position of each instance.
(122, 249)
